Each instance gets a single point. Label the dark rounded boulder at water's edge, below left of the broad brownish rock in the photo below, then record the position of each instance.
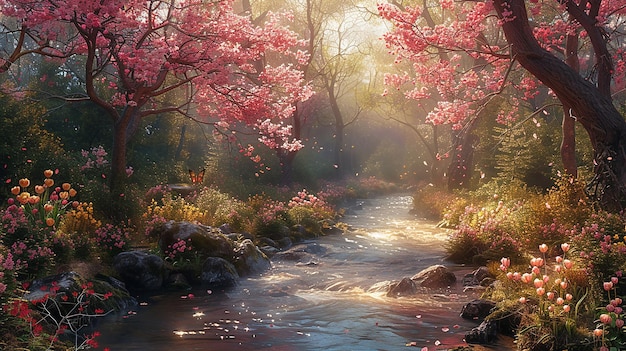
(140, 270)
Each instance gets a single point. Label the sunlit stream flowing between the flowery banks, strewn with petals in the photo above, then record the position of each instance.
(325, 302)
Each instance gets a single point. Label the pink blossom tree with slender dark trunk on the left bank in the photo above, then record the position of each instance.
(193, 57)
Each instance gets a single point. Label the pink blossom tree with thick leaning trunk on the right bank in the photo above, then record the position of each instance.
(485, 43)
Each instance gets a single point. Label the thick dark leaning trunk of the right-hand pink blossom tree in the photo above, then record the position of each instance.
(595, 111)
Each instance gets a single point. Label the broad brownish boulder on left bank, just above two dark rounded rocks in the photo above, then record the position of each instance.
(206, 241)
